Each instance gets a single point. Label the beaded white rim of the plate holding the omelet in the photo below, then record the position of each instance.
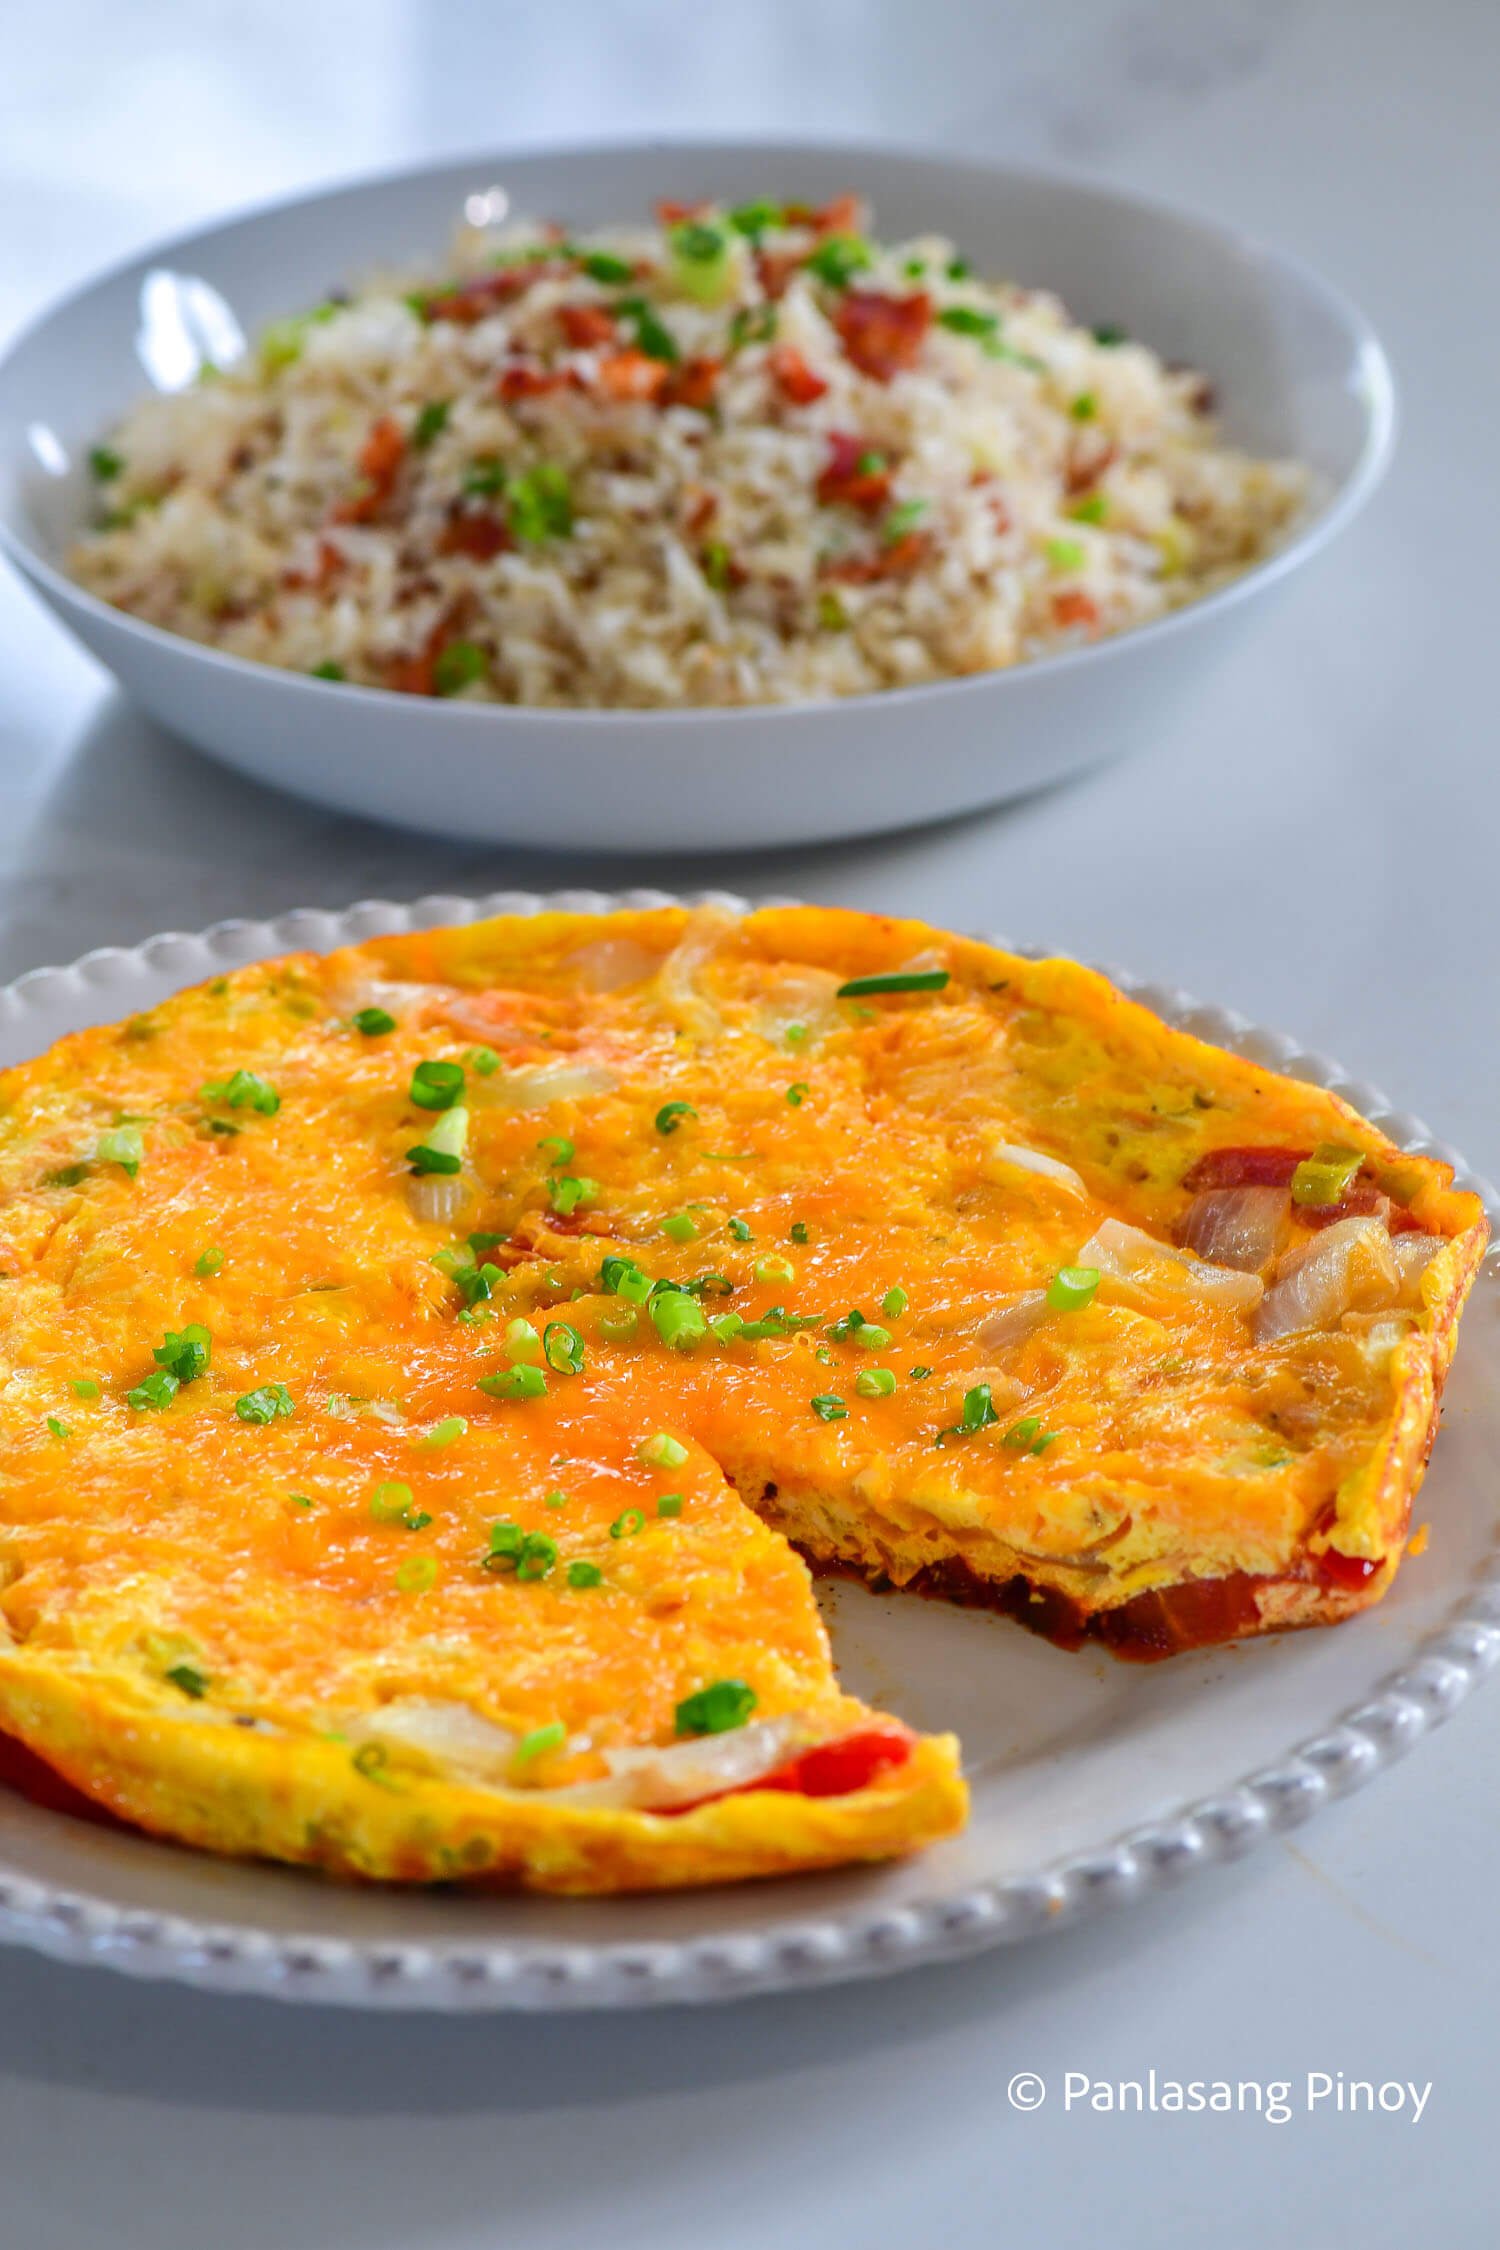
(849, 1941)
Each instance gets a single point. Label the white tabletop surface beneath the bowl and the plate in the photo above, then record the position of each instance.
(1314, 845)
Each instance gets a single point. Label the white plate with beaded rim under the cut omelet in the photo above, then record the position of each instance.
(1094, 1781)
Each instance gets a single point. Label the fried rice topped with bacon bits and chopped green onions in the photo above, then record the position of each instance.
(734, 458)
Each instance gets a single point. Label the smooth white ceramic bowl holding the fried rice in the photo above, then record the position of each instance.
(1296, 368)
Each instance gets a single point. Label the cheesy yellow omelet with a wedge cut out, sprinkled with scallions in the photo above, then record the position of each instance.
(433, 1369)
